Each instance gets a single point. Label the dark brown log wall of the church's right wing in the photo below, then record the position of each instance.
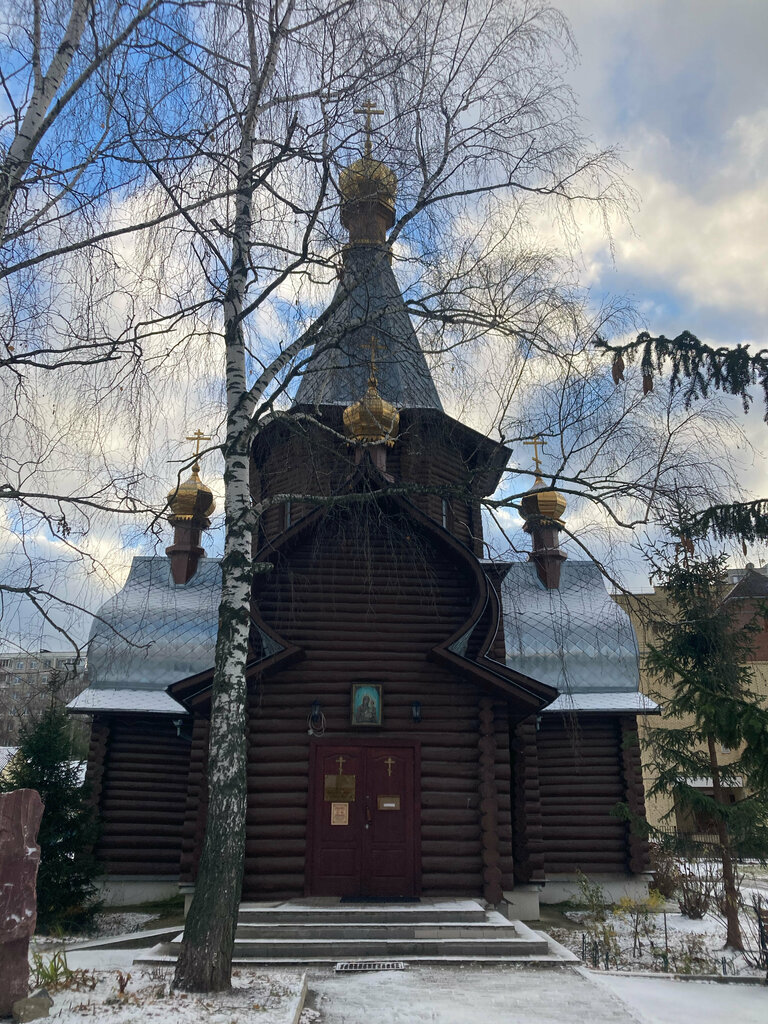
(581, 777)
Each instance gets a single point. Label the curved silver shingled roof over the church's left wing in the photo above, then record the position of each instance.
(156, 632)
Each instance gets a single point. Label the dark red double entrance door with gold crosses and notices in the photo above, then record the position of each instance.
(362, 830)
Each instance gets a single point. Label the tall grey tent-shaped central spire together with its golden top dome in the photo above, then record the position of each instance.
(372, 306)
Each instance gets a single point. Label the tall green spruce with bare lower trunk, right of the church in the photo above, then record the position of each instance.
(701, 655)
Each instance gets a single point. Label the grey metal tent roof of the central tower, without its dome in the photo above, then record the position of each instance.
(340, 368)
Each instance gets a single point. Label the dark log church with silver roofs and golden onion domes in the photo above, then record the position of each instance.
(423, 721)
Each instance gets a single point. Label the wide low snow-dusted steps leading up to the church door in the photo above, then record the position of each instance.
(325, 931)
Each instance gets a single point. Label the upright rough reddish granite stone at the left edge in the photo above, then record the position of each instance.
(21, 813)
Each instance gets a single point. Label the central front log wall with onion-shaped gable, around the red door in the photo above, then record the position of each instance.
(367, 599)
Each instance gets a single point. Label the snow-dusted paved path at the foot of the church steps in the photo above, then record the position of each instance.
(504, 996)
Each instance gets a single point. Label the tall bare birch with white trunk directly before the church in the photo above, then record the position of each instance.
(227, 152)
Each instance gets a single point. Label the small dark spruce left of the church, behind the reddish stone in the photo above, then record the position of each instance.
(66, 892)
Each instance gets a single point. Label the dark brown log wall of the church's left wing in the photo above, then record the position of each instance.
(143, 797)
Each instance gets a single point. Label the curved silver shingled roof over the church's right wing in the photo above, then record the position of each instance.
(575, 638)
